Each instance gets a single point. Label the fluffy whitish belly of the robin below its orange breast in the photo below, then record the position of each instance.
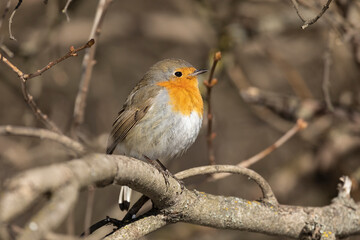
(162, 134)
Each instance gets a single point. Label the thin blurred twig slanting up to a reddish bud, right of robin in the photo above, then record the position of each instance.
(300, 125)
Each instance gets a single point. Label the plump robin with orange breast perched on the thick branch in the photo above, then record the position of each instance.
(161, 117)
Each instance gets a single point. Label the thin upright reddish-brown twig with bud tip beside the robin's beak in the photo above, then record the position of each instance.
(210, 83)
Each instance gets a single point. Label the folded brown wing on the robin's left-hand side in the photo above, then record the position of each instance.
(135, 108)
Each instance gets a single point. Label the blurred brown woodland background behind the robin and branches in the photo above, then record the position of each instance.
(271, 73)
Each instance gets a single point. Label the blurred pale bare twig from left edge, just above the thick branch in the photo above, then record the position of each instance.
(43, 134)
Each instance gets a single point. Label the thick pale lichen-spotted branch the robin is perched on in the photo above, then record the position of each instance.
(339, 219)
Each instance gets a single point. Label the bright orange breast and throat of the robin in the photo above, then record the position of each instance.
(184, 95)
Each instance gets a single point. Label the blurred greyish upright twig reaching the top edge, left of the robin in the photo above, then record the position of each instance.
(87, 66)
